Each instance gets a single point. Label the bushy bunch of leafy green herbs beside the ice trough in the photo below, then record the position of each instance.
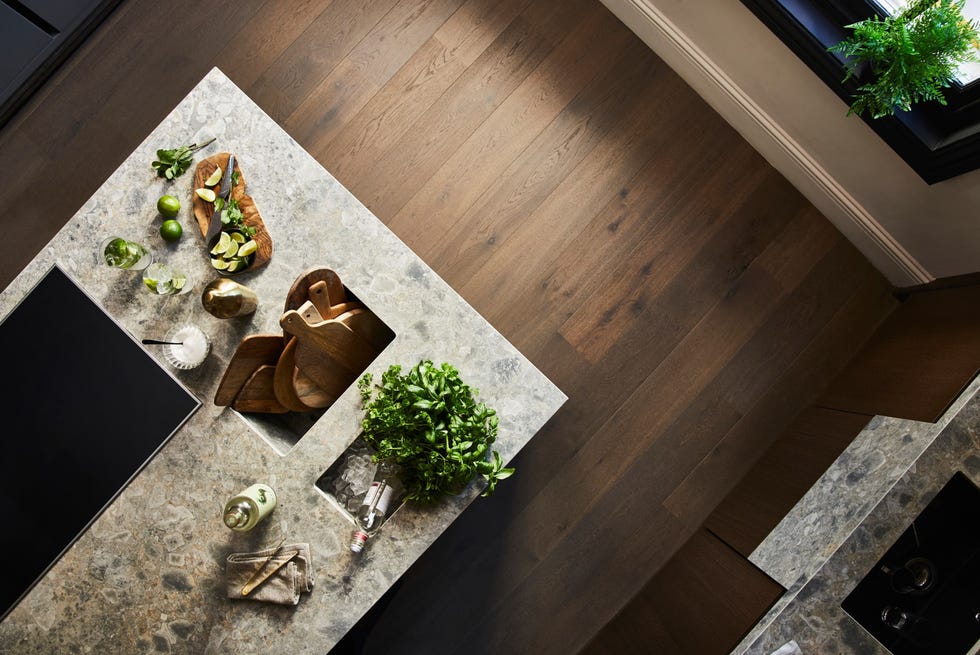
(429, 423)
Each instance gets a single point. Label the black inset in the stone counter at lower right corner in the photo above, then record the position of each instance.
(923, 595)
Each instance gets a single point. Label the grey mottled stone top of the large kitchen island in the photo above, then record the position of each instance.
(148, 575)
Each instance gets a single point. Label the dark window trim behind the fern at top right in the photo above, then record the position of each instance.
(937, 142)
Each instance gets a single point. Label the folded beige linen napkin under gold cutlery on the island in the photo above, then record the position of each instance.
(282, 587)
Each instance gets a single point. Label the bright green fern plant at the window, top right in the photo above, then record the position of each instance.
(913, 56)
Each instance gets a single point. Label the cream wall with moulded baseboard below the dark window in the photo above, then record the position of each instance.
(911, 231)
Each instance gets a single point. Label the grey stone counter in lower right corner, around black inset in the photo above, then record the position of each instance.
(850, 518)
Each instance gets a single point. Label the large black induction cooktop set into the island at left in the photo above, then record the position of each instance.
(84, 409)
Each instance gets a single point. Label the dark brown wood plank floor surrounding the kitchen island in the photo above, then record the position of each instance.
(553, 170)
